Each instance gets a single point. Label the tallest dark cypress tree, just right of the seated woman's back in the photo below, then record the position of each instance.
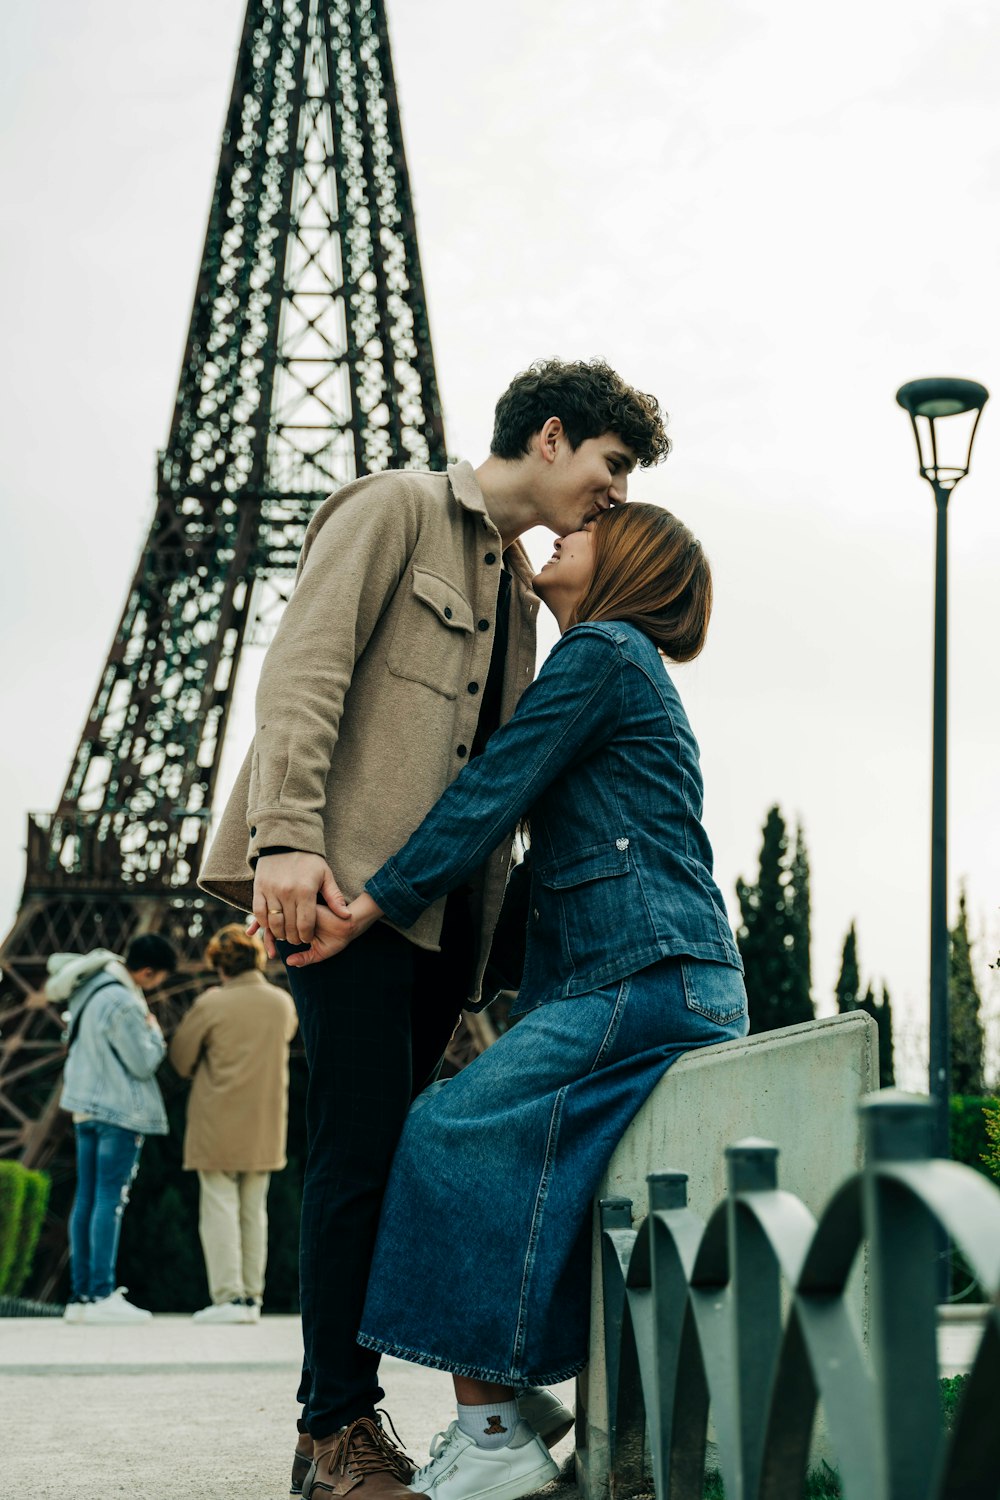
(774, 931)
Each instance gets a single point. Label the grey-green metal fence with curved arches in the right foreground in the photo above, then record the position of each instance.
(749, 1316)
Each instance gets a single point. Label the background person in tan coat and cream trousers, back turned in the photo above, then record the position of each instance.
(235, 1046)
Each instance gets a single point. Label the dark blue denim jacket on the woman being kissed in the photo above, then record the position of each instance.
(603, 761)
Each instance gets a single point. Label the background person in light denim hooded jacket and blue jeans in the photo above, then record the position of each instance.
(110, 1088)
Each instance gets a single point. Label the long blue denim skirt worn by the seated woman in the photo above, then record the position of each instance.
(484, 1255)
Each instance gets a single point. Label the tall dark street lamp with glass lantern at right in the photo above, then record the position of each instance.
(935, 404)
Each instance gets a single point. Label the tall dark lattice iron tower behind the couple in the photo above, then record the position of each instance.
(308, 362)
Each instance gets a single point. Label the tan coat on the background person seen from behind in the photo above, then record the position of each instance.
(235, 1042)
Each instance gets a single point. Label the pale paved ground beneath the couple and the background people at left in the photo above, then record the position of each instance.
(173, 1411)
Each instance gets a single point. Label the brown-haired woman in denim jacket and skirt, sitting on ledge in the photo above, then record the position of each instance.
(482, 1264)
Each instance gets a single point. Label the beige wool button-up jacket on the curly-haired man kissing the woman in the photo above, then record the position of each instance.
(370, 694)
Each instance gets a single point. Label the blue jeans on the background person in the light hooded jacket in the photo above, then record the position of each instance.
(107, 1162)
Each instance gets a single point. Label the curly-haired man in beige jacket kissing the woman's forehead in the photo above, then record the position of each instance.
(409, 640)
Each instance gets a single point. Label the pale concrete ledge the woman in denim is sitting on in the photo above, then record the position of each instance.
(798, 1088)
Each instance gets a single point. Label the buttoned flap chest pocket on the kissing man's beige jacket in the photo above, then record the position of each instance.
(431, 635)
